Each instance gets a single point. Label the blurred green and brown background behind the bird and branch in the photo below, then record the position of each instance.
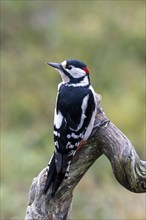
(107, 35)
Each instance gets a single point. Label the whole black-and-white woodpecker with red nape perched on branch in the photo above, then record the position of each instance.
(73, 119)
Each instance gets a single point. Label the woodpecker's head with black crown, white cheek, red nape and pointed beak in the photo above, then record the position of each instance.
(73, 71)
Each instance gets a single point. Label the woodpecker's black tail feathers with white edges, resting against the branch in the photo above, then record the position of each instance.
(58, 170)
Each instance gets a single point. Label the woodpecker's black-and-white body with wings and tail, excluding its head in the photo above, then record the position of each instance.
(74, 110)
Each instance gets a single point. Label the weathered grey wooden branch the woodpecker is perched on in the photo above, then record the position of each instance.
(128, 169)
